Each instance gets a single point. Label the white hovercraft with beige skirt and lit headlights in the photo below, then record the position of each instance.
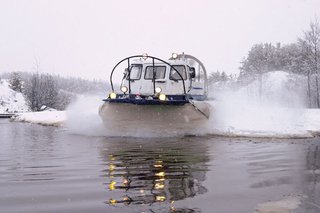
(157, 94)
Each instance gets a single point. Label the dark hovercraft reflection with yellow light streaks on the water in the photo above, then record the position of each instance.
(154, 172)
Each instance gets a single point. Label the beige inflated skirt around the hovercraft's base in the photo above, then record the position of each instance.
(132, 118)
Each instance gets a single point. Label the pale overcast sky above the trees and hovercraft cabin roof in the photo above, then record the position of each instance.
(86, 38)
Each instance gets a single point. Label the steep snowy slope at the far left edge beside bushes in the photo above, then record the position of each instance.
(10, 100)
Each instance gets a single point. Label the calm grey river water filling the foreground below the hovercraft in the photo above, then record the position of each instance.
(48, 169)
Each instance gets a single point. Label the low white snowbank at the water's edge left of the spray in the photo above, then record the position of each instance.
(50, 118)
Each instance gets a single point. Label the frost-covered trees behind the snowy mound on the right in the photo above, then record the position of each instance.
(301, 57)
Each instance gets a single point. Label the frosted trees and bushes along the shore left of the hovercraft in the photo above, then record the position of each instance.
(53, 91)
